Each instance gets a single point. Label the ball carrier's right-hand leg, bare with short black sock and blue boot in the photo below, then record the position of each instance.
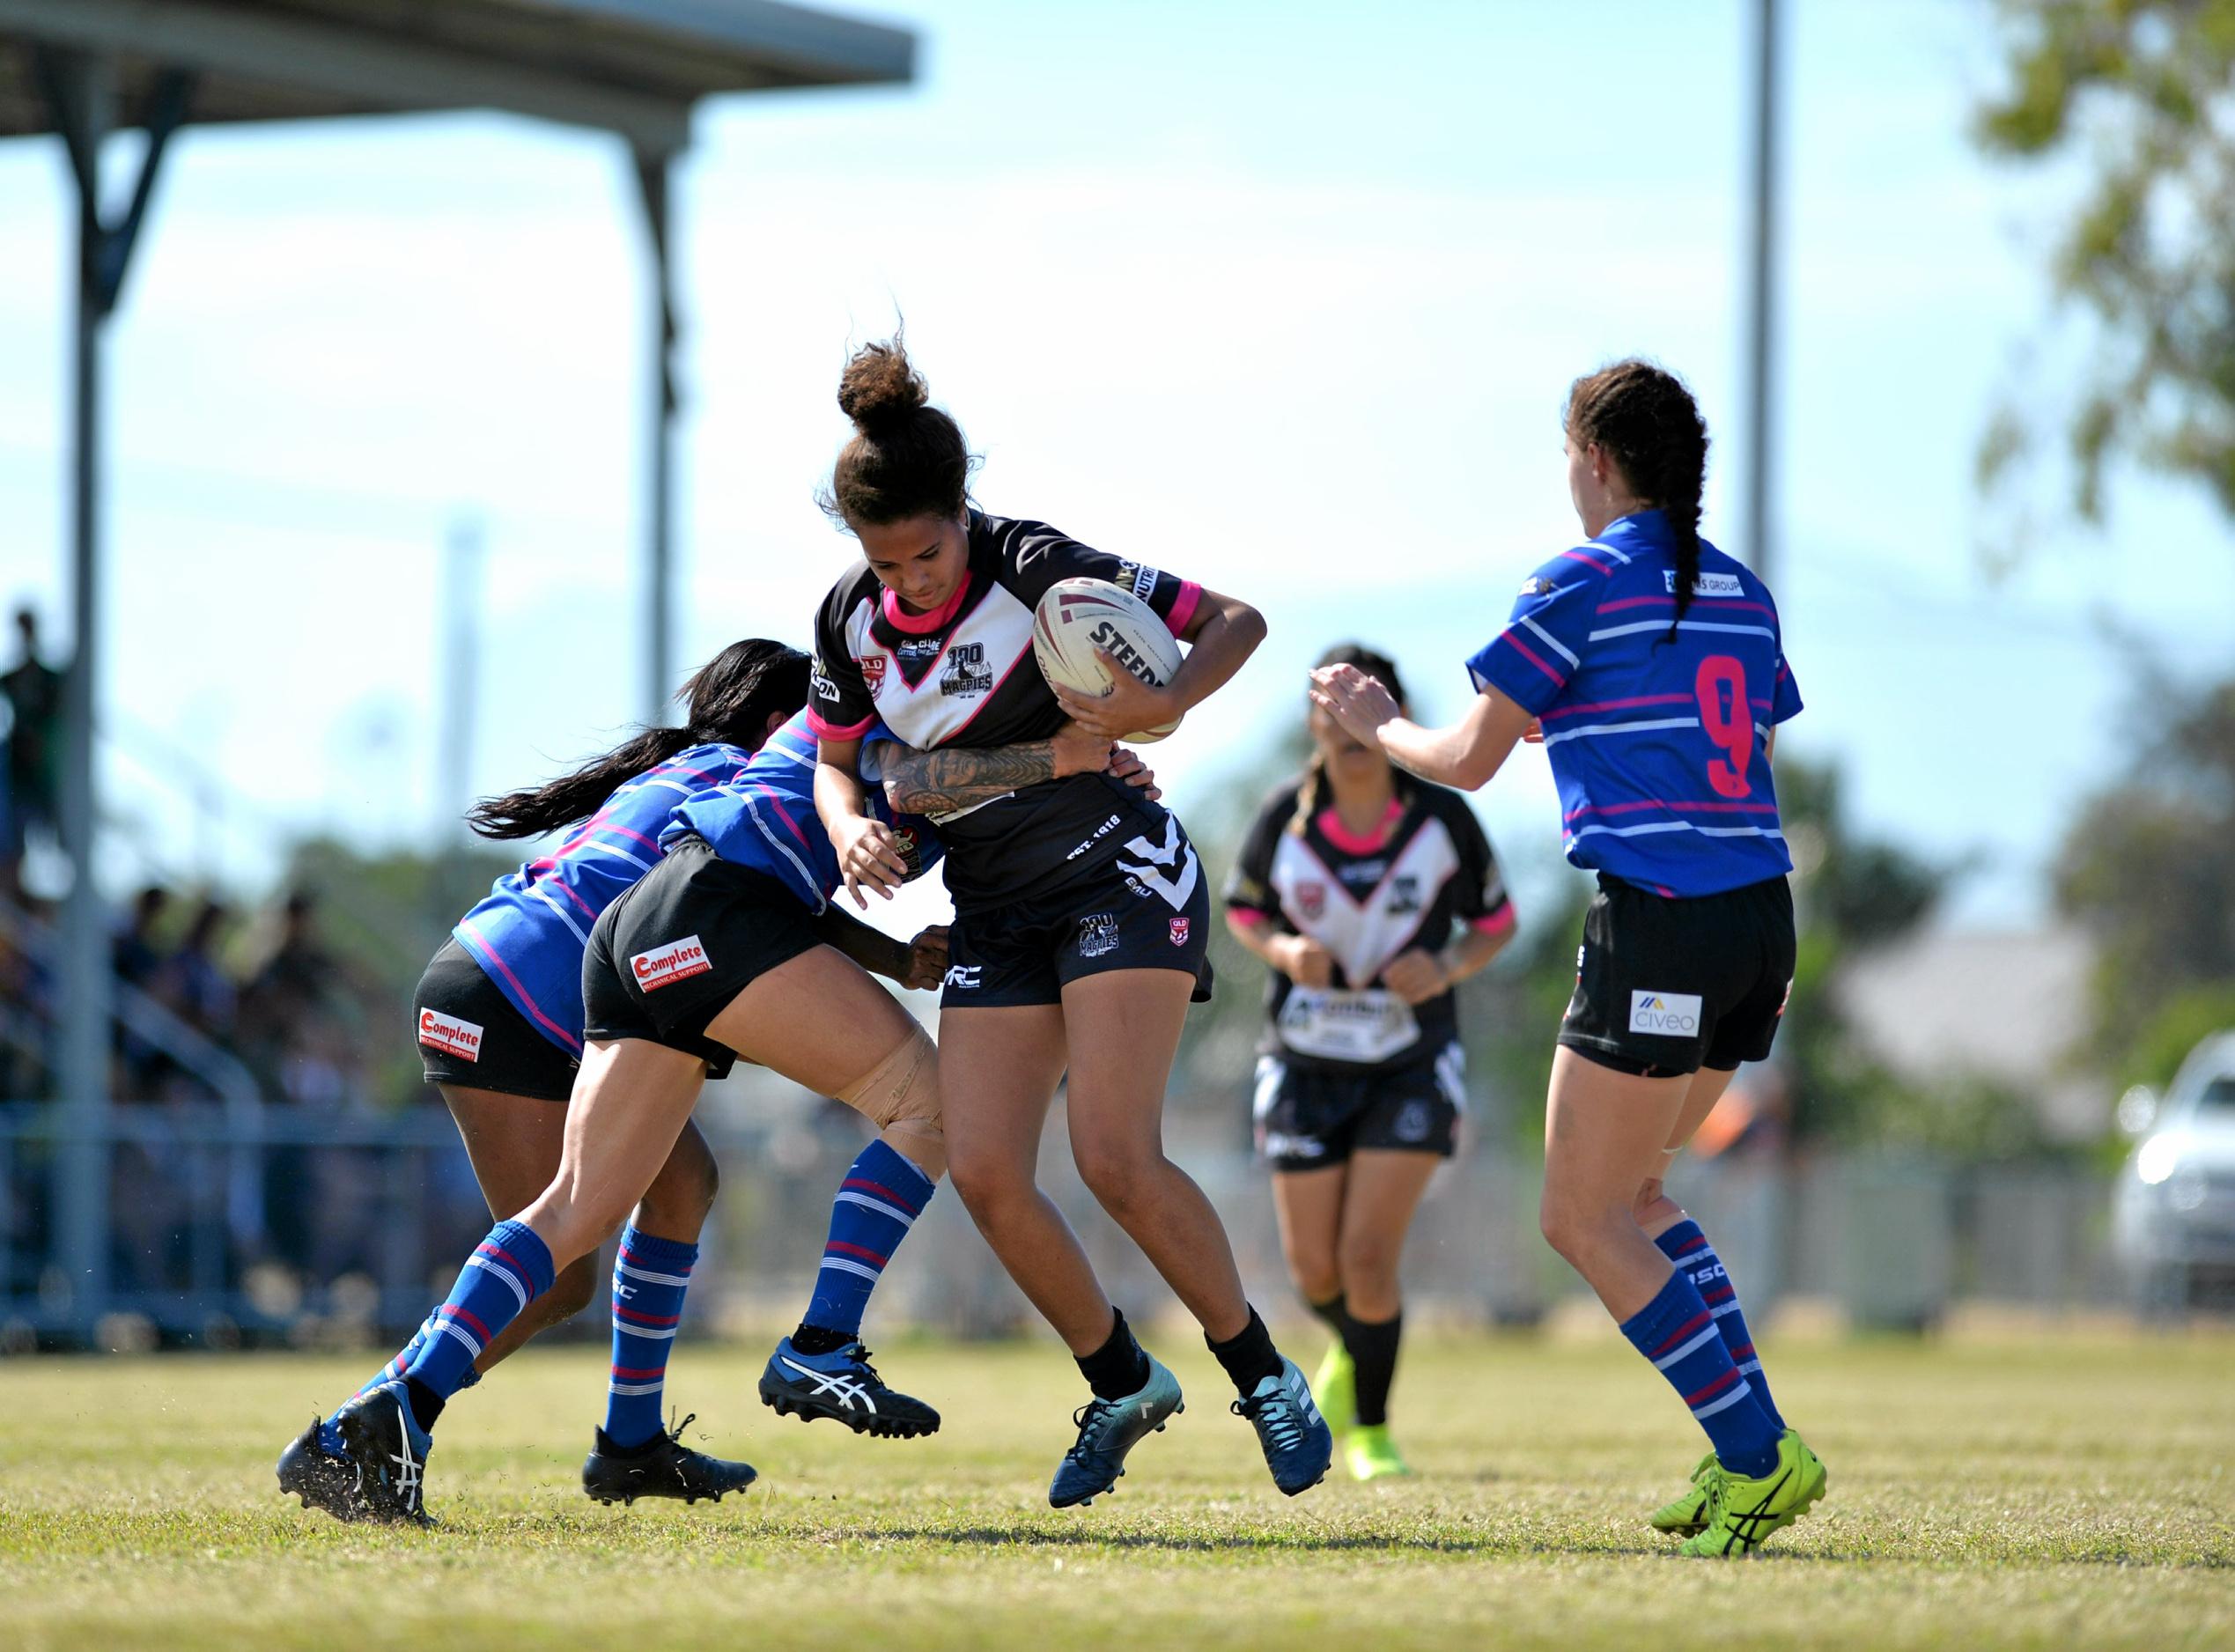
(1123, 1029)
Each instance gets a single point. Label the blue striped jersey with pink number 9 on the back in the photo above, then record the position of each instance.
(1657, 743)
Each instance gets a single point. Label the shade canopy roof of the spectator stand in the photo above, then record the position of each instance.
(625, 66)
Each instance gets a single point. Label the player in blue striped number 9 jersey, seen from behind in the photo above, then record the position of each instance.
(1655, 667)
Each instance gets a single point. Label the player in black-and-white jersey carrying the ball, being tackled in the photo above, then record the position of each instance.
(1078, 906)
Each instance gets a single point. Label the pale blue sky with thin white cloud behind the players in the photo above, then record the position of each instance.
(1277, 296)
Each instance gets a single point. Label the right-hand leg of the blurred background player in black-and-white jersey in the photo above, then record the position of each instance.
(1378, 1213)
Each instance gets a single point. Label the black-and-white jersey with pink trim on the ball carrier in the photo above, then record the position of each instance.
(964, 676)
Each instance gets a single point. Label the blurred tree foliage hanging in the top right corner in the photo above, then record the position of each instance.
(2144, 91)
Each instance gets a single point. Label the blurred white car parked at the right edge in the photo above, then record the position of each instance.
(2176, 1208)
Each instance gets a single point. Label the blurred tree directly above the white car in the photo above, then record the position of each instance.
(2149, 868)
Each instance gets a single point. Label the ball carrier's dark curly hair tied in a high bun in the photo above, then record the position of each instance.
(906, 459)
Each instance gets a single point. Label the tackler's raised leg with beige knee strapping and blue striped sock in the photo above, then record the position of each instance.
(821, 1369)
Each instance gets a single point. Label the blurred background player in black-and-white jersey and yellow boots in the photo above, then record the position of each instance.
(1351, 886)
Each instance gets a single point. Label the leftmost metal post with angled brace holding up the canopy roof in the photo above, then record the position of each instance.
(82, 99)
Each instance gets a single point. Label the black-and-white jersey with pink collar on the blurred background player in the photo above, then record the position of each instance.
(1364, 900)
